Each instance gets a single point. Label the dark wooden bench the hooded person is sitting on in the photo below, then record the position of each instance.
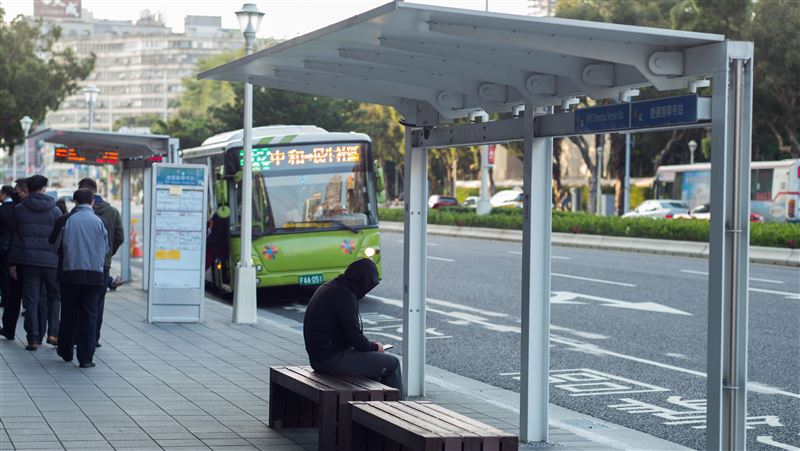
(301, 397)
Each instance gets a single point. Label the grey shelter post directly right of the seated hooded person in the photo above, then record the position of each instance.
(414, 266)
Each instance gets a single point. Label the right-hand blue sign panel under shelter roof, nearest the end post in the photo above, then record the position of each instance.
(666, 111)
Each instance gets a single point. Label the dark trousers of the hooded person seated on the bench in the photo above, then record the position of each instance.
(379, 366)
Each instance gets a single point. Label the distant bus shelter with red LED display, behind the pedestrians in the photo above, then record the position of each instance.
(128, 152)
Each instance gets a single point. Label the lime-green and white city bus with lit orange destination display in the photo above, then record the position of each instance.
(315, 204)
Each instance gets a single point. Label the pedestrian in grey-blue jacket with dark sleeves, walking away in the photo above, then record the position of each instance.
(82, 241)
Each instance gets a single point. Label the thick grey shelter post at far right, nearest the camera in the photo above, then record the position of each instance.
(729, 237)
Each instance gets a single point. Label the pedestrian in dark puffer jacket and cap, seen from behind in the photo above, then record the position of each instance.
(34, 219)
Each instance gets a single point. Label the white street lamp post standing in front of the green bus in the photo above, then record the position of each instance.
(244, 300)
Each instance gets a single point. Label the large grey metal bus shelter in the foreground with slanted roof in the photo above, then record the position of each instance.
(438, 66)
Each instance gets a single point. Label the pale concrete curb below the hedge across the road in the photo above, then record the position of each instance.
(758, 254)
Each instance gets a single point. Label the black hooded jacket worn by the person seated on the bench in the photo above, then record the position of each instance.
(332, 323)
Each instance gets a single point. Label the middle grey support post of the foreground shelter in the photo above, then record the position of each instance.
(537, 176)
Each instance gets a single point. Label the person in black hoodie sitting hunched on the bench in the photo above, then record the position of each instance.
(333, 334)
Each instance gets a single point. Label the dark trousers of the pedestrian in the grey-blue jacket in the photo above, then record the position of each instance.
(79, 320)
